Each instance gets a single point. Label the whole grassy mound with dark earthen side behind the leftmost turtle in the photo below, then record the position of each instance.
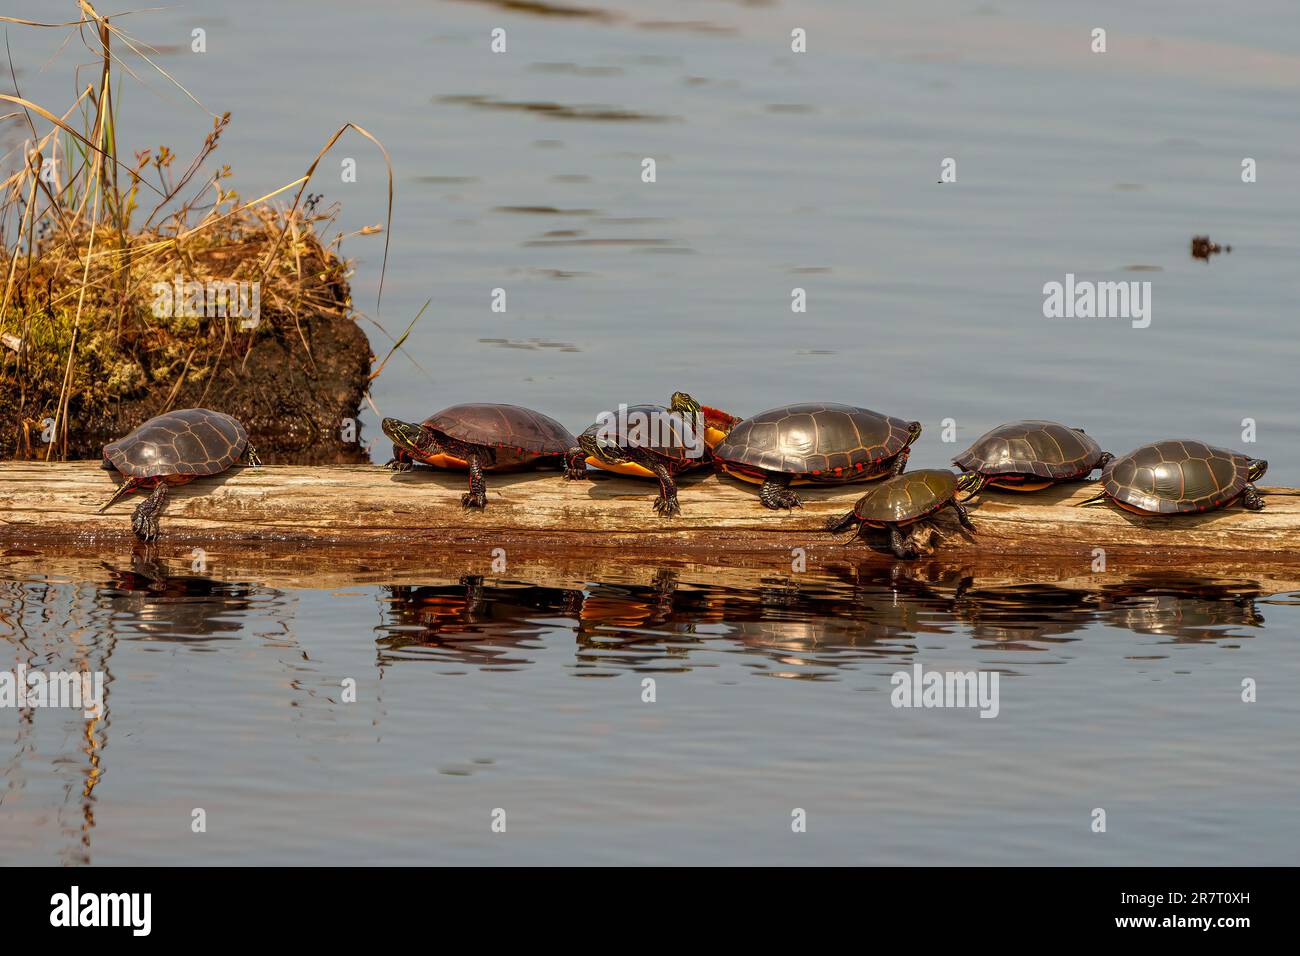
(136, 283)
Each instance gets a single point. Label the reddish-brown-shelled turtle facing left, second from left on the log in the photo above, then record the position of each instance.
(483, 438)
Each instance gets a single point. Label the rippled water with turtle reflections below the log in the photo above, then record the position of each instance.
(479, 695)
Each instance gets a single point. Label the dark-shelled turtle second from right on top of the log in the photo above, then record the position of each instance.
(1030, 456)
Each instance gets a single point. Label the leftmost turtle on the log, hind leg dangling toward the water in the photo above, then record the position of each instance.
(171, 451)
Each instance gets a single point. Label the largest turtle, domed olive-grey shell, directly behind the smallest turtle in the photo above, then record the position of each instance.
(814, 443)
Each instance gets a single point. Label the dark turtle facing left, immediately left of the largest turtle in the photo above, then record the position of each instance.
(657, 443)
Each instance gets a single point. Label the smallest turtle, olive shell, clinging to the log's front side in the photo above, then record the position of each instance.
(905, 500)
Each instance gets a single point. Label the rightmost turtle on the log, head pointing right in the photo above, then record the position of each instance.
(1181, 477)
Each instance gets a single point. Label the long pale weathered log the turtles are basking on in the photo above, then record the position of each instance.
(421, 511)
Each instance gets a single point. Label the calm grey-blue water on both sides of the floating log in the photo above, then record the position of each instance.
(522, 171)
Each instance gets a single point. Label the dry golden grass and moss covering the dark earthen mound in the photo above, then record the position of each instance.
(86, 239)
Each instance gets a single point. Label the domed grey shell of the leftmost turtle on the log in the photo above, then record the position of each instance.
(190, 442)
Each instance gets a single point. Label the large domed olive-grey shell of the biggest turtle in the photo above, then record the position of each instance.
(816, 439)
